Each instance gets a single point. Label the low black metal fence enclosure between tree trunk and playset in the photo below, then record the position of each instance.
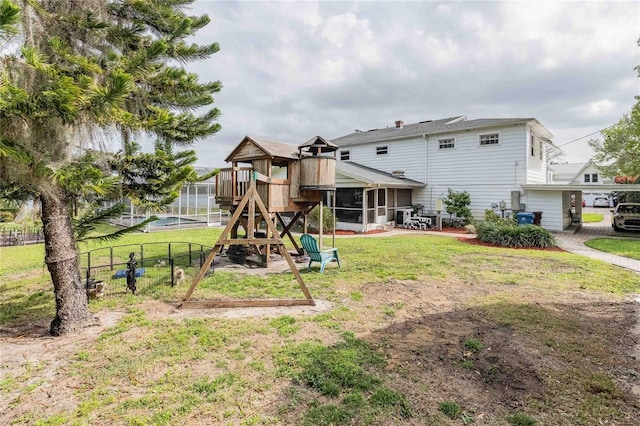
(156, 265)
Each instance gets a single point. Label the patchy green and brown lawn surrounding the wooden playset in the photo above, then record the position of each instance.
(407, 314)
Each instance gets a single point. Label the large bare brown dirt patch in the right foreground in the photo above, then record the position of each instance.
(514, 370)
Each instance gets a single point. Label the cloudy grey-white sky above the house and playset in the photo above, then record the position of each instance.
(293, 70)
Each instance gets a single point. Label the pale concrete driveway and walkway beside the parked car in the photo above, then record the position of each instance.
(574, 242)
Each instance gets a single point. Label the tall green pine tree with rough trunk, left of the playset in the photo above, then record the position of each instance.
(87, 71)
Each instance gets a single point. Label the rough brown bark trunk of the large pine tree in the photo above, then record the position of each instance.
(72, 313)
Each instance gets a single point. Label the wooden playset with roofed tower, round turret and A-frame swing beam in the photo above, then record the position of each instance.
(280, 179)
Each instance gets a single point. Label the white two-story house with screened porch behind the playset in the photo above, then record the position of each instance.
(417, 163)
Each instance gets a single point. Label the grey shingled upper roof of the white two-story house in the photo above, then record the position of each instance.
(430, 127)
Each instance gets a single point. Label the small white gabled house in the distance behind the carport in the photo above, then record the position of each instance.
(581, 174)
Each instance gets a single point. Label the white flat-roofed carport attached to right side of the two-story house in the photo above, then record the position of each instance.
(558, 202)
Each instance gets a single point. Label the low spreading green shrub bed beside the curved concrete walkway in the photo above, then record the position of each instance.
(510, 235)
